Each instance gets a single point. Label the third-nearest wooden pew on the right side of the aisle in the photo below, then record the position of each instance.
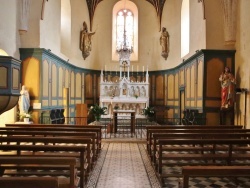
(201, 135)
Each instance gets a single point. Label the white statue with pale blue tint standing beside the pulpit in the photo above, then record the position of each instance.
(24, 100)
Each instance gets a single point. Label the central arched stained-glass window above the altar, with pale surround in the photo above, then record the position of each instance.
(125, 24)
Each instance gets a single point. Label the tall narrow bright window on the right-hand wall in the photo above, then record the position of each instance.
(185, 27)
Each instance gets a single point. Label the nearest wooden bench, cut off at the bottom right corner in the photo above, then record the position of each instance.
(213, 171)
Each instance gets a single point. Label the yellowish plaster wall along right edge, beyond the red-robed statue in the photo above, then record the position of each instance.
(242, 60)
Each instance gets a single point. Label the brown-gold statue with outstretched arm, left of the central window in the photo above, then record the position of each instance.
(85, 41)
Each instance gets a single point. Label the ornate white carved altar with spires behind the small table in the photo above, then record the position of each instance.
(124, 94)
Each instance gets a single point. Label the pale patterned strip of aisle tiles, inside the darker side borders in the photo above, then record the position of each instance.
(123, 168)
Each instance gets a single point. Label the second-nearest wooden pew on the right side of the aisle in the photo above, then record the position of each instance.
(227, 157)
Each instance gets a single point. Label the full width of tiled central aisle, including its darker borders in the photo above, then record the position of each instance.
(123, 164)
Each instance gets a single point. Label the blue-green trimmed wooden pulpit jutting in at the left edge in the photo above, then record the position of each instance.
(9, 83)
